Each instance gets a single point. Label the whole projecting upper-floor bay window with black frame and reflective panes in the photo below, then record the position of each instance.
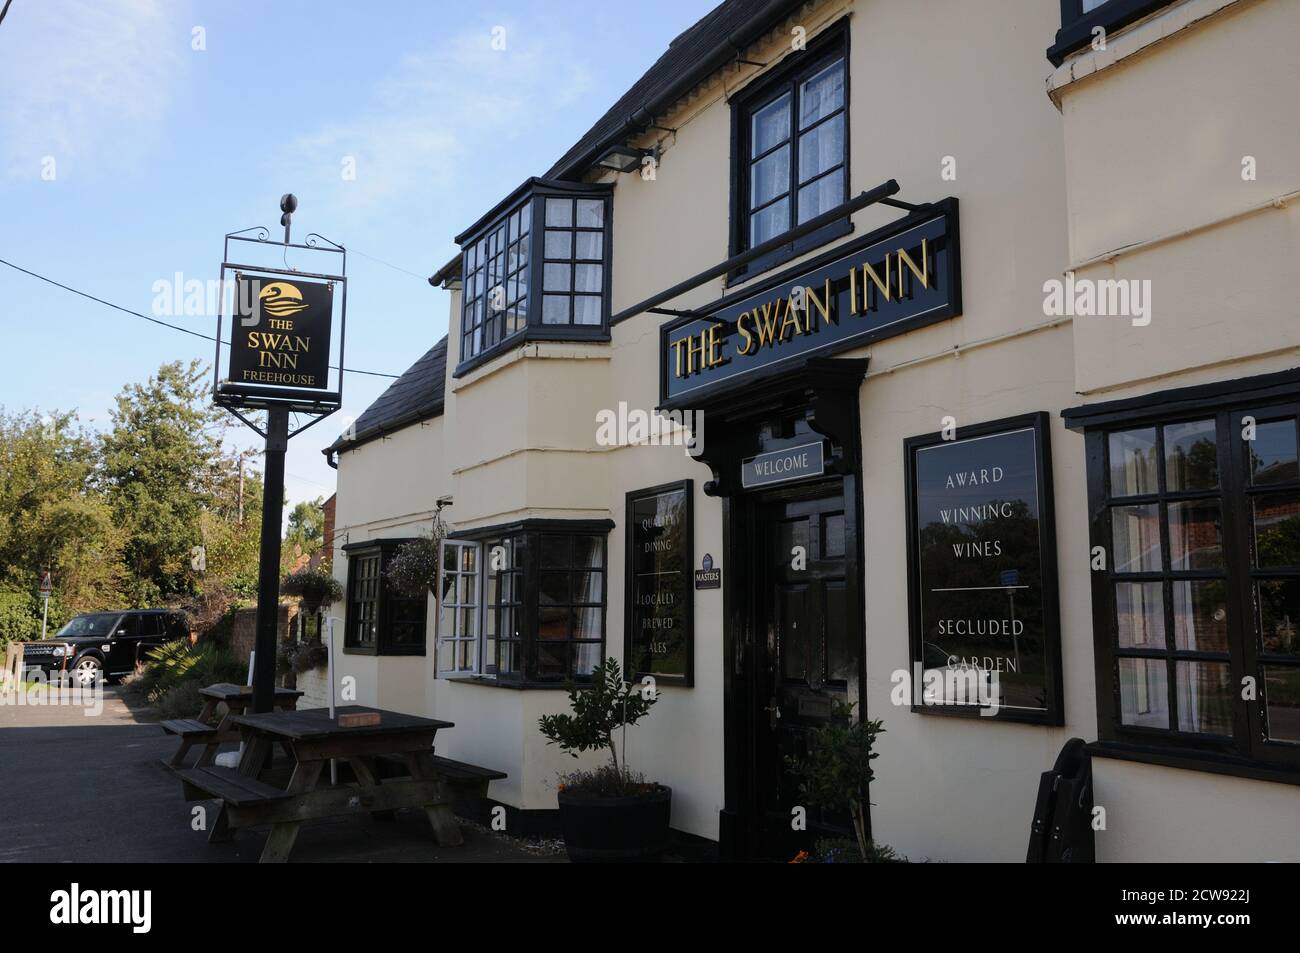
(536, 268)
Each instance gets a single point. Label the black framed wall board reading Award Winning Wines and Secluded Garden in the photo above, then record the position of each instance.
(983, 610)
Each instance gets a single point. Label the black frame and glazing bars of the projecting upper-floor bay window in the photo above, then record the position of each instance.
(515, 328)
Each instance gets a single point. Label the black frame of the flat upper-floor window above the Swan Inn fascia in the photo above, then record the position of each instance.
(785, 80)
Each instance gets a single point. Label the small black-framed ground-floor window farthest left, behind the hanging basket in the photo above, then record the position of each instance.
(380, 620)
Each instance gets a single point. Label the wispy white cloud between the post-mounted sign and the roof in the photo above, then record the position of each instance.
(437, 110)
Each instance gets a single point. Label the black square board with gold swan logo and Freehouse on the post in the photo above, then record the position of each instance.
(280, 332)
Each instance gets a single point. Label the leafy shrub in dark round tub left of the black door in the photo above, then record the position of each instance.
(608, 815)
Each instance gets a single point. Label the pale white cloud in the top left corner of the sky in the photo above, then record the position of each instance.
(85, 83)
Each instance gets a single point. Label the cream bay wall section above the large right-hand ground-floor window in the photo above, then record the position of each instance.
(1186, 112)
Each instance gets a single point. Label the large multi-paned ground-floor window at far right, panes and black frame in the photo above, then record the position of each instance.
(1198, 610)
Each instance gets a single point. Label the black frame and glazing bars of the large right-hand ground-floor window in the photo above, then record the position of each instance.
(1247, 752)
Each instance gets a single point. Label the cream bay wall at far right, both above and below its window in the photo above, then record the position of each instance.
(1155, 144)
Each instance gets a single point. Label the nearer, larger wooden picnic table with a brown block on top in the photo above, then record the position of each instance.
(252, 795)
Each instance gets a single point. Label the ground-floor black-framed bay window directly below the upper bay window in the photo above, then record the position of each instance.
(543, 614)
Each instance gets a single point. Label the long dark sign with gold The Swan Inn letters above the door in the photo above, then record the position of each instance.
(891, 281)
